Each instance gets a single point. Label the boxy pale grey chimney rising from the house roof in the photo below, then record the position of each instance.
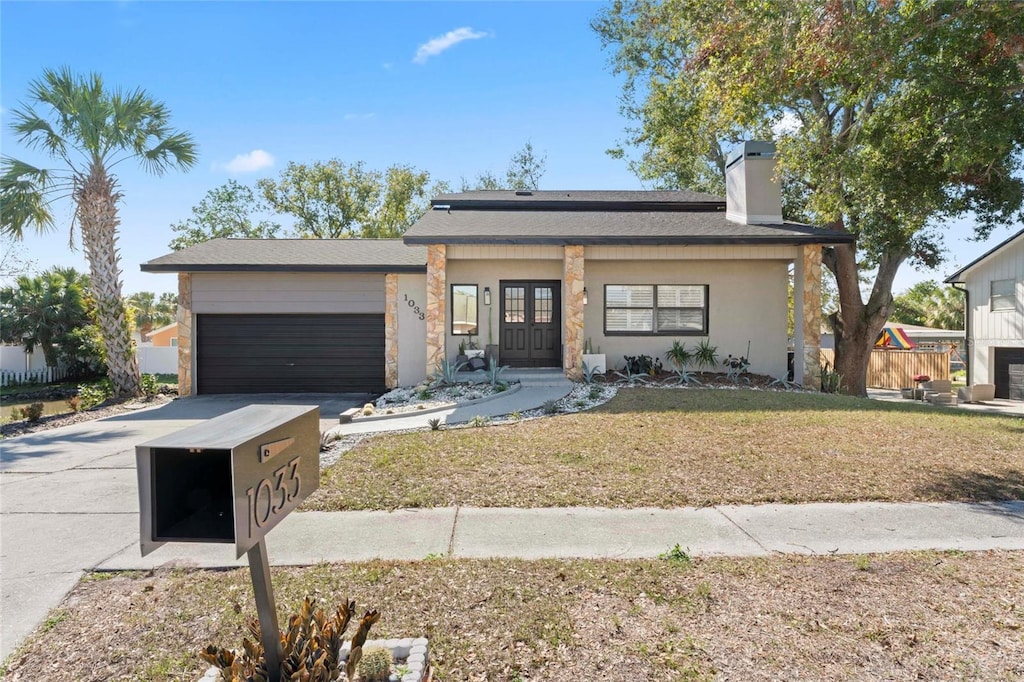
(753, 195)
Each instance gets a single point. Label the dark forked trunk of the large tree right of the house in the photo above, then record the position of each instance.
(858, 325)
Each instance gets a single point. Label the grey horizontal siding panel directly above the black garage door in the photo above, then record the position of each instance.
(282, 293)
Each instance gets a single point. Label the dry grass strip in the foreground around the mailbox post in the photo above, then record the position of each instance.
(909, 617)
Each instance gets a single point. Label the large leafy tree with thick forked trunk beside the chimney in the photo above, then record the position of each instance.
(889, 117)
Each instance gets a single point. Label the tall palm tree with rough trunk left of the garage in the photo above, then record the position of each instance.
(90, 131)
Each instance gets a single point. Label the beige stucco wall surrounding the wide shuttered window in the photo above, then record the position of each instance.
(747, 303)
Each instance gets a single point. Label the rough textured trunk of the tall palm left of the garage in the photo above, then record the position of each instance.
(97, 199)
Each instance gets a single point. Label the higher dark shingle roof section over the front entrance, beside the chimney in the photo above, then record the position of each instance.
(611, 228)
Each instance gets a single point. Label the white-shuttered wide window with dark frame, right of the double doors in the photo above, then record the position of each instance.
(641, 310)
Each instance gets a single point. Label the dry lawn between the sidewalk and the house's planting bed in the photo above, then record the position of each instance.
(651, 448)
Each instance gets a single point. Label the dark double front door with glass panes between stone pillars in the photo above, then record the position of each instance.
(531, 324)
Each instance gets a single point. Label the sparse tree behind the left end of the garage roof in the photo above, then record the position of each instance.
(230, 210)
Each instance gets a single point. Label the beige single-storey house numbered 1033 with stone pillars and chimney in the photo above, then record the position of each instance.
(533, 274)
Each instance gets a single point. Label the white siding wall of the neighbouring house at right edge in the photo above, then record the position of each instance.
(996, 329)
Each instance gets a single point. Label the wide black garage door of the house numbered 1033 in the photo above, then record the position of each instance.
(302, 354)
